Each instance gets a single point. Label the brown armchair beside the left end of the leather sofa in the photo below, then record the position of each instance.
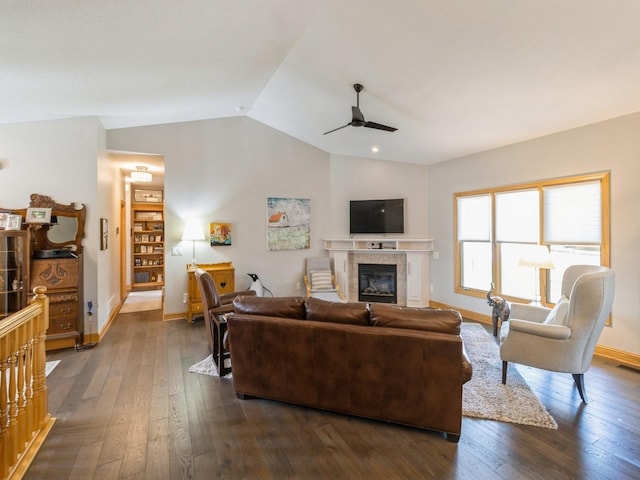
(214, 307)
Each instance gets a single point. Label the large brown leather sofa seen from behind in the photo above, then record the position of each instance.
(384, 362)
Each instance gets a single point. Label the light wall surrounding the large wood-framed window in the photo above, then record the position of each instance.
(607, 146)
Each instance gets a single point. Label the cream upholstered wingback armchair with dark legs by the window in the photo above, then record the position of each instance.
(562, 339)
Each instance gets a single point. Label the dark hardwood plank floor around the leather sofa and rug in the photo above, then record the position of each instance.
(129, 409)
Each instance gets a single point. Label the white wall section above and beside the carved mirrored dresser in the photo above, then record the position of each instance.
(58, 159)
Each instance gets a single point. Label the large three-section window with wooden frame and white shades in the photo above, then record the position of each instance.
(495, 228)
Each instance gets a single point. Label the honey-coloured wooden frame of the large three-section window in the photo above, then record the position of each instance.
(605, 191)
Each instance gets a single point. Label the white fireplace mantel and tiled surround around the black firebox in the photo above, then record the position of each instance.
(413, 255)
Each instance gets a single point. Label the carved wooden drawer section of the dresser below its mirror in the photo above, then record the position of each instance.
(62, 277)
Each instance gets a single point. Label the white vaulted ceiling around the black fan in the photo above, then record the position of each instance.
(454, 76)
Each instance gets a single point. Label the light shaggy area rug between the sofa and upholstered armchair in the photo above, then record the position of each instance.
(484, 396)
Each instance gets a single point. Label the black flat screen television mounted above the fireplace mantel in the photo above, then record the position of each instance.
(376, 216)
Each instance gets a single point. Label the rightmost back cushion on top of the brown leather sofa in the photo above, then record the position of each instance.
(430, 319)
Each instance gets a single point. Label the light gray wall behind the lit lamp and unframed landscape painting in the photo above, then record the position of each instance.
(223, 170)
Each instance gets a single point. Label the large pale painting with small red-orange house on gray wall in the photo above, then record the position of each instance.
(288, 223)
